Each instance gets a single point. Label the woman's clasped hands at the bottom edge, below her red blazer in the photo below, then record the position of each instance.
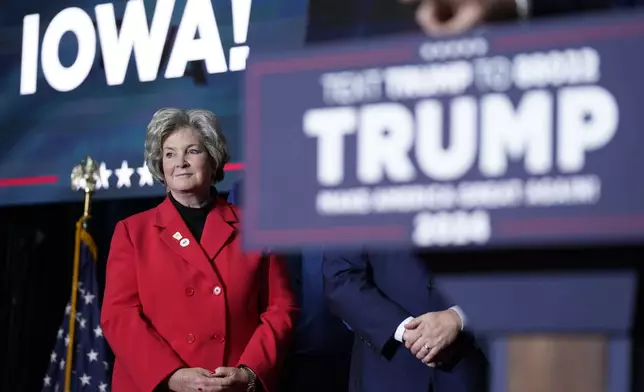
(203, 380)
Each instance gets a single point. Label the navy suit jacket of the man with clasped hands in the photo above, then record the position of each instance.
(374, 293)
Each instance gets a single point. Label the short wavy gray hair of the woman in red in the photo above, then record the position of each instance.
(168, 120)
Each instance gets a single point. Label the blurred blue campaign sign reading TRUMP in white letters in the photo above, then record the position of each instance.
(525, 134)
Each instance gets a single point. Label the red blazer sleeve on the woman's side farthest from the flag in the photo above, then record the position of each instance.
(267, 347)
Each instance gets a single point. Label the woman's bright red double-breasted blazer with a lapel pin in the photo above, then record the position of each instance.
(167, 305)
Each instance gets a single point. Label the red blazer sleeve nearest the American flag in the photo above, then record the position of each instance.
(145, 355)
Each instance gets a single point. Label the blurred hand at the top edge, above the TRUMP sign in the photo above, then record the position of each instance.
(441, 17)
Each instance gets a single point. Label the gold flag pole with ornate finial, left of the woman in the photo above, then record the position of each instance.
(84, 177)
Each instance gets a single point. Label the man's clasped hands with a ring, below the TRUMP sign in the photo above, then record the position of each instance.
(426, 335)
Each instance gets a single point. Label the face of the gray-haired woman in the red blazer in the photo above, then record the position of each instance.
(186, 163)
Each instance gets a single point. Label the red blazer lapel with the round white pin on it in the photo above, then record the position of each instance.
(176, 235)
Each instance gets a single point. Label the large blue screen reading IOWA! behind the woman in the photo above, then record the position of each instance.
(85, 77)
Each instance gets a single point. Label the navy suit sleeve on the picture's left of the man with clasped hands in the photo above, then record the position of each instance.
(352, 296)
